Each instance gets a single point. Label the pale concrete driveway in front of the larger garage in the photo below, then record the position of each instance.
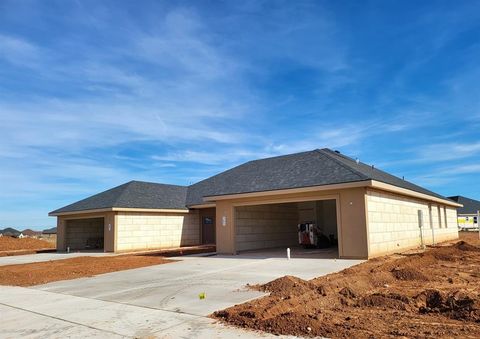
(157, 301)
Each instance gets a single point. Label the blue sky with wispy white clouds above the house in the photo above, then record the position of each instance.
(97, 93)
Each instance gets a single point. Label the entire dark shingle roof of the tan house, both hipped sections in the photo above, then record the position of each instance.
(313, 168)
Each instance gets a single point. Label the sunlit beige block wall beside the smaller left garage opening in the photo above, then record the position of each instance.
(139, 231)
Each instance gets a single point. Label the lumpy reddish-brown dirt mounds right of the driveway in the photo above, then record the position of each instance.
(429, 294)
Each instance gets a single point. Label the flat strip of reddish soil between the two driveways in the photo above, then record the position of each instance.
(66, 269)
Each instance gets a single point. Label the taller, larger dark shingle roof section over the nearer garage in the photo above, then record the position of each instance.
(312, 168)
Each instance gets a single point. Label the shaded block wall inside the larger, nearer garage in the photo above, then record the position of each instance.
(266, 226)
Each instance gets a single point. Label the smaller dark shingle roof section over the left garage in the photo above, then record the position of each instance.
(133, 194)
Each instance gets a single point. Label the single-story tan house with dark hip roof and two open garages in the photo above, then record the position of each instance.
(259, 204)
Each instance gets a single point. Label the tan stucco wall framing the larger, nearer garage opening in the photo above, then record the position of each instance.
(350, 214)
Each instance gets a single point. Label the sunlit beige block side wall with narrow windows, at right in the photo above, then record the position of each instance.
(393, 222)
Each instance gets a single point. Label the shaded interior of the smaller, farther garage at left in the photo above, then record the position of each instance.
(85, 234)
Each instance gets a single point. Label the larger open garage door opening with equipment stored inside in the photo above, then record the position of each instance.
(305, 227)
